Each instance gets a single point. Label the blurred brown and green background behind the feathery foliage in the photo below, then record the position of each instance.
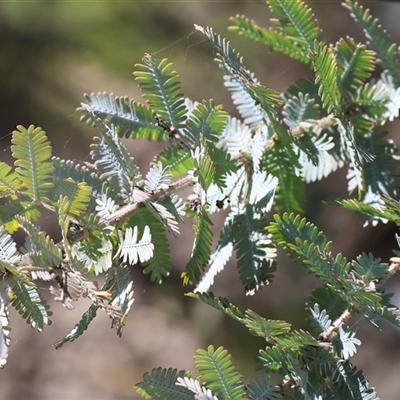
(51, 53)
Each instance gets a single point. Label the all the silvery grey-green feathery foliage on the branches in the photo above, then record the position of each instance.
(112, 215)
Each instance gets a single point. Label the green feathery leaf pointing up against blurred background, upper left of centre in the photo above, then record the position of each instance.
(161, 88)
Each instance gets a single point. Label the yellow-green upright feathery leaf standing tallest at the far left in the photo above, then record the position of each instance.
(32, 152)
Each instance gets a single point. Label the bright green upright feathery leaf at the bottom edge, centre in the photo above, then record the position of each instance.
(216, 368)
